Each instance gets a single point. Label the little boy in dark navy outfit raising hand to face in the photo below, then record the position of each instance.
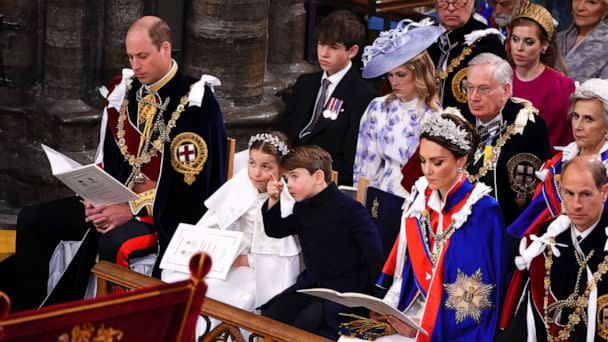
(340, 244)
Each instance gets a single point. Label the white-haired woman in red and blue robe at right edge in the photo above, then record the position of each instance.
(589, 119)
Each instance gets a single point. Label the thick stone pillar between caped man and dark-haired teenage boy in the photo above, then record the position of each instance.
(228, 39)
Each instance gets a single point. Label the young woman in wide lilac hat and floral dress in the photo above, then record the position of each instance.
(390, 126)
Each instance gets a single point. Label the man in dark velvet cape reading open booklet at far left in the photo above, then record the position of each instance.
(163, 136)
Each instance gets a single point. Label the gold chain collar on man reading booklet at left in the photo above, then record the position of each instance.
(145, 155)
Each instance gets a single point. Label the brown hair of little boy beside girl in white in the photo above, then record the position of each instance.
(311, 158)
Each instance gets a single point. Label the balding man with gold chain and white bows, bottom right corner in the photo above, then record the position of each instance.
(566, 296)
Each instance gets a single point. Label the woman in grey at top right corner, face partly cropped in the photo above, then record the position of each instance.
(584, 44)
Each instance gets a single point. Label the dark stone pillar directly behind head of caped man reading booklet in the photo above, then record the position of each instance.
(119, 15)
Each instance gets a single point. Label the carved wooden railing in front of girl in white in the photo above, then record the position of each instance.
(109, 275)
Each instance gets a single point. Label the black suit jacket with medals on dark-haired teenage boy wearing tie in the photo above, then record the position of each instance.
(338, 137)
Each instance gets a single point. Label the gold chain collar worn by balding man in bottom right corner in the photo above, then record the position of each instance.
(578, 302)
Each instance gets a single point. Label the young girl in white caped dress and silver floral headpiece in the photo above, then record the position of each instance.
(265, 266)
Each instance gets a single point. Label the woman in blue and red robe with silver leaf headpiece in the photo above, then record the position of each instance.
(447, 269)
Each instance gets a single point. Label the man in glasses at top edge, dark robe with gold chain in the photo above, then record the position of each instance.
(463, 39)
